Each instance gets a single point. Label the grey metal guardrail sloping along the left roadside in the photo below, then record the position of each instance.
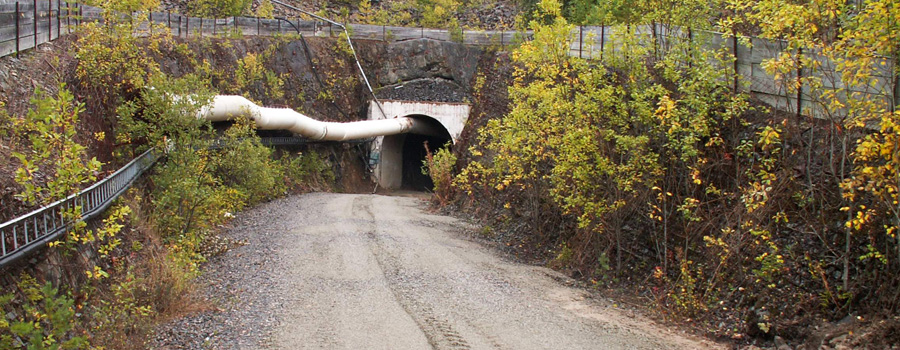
(21, 236)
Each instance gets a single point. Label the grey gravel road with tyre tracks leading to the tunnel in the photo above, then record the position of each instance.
(342, 271)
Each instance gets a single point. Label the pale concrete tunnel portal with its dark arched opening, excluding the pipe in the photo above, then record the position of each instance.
(396, 160)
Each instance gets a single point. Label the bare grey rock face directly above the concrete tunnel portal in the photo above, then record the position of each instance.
(424, 59)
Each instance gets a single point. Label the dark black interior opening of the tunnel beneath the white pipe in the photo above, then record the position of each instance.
(414, 154)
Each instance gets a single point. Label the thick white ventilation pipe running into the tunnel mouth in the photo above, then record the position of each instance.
(225, 107)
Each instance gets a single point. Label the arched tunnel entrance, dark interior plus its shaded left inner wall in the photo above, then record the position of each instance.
(402, 157)
